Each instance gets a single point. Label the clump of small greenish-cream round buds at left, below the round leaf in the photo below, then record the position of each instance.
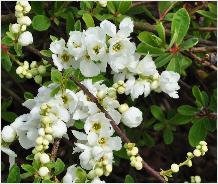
(32, 70)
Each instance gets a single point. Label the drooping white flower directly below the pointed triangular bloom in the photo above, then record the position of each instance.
(137, 87)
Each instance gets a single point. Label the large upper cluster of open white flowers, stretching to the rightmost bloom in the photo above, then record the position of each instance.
(93, 49)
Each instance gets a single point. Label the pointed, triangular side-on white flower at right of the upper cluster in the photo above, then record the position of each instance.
(146, 66)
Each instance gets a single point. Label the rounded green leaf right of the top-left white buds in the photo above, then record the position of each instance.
(41, 22)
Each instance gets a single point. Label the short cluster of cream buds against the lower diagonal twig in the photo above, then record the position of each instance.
(132, 151)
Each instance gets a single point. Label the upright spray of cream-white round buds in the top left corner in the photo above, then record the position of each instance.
(23, 37)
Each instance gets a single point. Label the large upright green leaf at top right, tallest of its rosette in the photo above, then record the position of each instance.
(180, 24)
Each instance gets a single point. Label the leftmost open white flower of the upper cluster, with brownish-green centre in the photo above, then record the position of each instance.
(61, 57)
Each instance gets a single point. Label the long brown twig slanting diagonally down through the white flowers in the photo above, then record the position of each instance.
(123, 136)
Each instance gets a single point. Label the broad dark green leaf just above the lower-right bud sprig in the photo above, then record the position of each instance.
(197, 132)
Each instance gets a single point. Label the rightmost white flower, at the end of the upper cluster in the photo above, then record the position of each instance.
(169, 83)
